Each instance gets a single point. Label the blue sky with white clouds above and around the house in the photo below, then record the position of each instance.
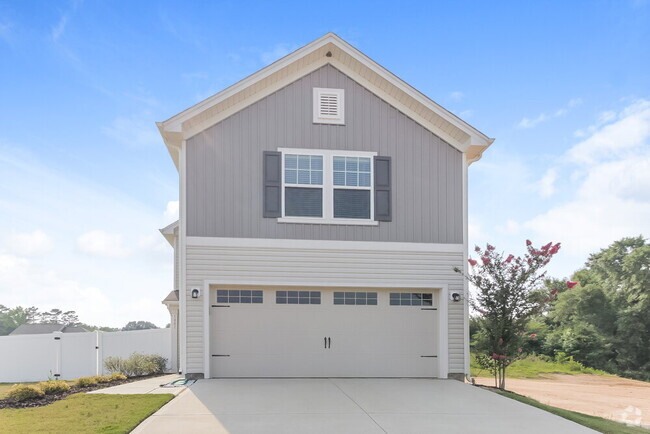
(85, 180)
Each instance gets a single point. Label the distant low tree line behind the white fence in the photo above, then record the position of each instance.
(12, 318)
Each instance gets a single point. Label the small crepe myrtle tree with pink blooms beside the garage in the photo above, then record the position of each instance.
(508, 292)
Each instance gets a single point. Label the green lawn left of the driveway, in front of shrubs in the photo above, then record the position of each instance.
(84, 413)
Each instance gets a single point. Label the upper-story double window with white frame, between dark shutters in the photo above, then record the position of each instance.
(323, 186)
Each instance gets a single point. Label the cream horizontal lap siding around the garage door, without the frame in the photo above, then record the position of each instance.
(319, 267)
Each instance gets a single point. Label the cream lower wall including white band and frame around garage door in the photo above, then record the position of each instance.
(334, 264)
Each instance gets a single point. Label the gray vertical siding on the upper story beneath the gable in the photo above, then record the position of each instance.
(224, 167)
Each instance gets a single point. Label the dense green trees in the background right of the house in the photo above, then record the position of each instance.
(604, 321)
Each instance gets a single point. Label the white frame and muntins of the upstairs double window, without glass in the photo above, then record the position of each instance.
(328, 188)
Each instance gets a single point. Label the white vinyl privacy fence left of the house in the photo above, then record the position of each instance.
(73, 355)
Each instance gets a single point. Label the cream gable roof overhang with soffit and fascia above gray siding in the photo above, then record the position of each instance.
(331, 49)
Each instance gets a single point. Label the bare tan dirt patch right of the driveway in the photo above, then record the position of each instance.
(613, 398)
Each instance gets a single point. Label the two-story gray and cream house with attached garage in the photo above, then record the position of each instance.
(323, 207)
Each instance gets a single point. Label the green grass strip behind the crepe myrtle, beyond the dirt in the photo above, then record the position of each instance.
(535, 366)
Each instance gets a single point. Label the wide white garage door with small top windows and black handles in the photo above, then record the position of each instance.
(323, 333)
